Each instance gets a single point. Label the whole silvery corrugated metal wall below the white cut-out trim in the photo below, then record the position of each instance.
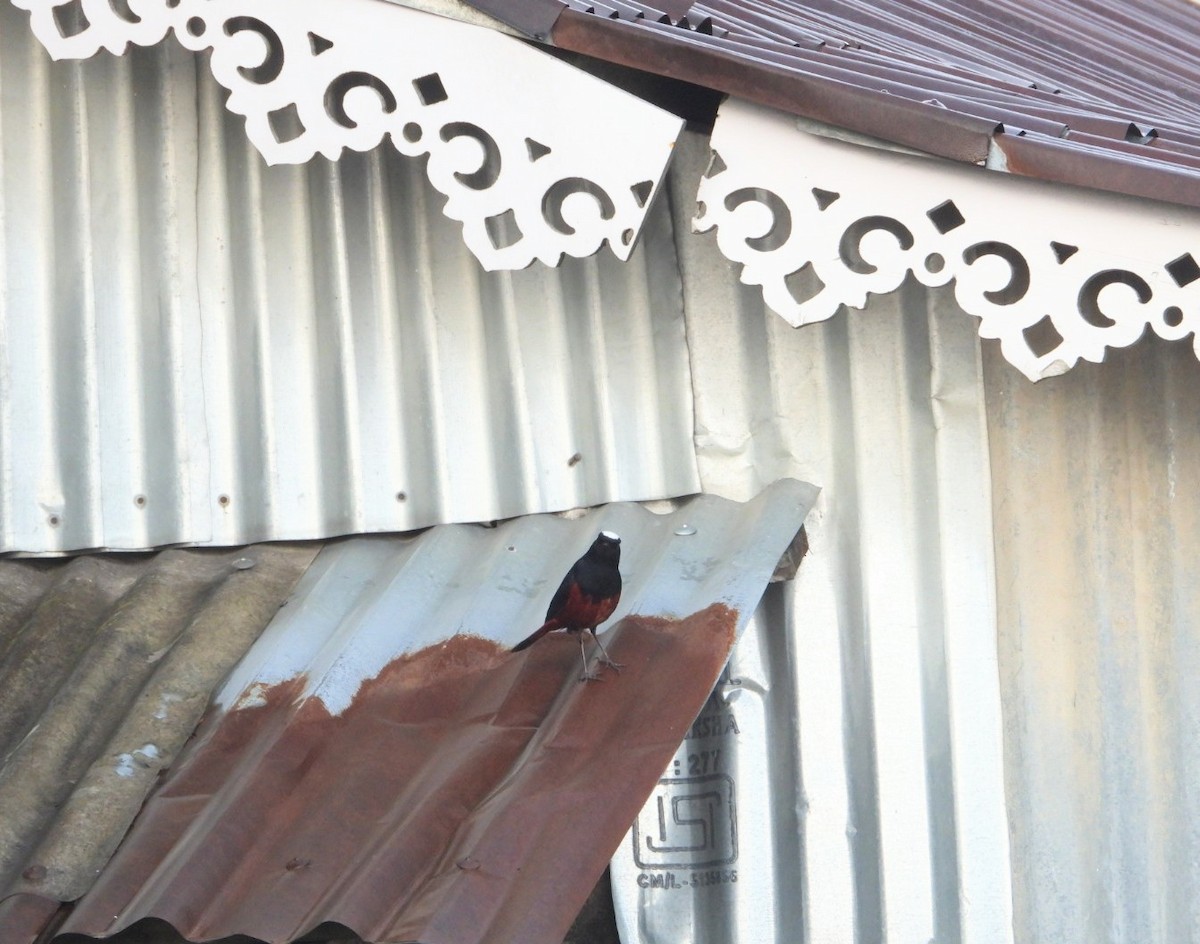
(878, 665)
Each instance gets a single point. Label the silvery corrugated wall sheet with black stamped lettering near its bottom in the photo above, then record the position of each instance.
(866, 693)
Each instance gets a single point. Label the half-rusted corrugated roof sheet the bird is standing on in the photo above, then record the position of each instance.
(381, 760)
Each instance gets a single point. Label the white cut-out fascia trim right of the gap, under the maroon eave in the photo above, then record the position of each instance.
(1055, 273)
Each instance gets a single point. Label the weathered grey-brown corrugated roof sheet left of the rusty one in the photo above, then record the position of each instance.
(106, 666)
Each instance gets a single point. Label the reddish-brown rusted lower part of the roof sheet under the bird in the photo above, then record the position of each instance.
(467, 795)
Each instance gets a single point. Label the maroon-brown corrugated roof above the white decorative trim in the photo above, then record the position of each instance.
(1100, 93)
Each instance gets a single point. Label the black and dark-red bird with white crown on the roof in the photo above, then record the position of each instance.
(585, 599)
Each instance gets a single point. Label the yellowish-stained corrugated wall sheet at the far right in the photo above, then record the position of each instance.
(1097, 524)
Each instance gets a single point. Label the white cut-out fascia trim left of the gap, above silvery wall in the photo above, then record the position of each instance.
(536, 158)
